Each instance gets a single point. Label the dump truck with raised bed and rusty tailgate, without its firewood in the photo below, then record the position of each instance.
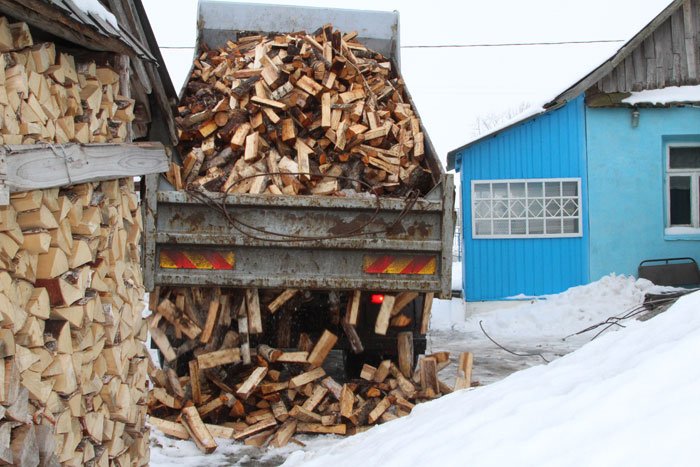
(332, 250)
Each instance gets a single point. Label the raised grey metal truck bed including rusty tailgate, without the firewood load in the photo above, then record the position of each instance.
(312, 242)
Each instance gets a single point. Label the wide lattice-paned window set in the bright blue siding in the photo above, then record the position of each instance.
(529, 208)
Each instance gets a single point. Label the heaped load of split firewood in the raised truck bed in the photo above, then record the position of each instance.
(298, 114)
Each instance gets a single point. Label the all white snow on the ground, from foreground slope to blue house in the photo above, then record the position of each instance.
(588, 408)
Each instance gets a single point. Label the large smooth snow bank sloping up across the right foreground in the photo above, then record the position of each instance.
(627, 398)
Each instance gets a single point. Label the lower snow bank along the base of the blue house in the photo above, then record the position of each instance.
(553, 315)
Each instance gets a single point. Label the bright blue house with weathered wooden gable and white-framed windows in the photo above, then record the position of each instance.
(604, 176)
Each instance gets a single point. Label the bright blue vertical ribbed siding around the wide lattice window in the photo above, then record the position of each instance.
(549, 146)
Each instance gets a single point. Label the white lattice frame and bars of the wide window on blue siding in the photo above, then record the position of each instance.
(578, 217)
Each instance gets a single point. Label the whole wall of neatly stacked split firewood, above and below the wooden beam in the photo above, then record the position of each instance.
(73, 367)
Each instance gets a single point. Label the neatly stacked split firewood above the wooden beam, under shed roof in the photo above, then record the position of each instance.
(46, 96)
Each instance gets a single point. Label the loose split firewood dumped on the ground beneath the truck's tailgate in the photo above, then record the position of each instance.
(215, 385)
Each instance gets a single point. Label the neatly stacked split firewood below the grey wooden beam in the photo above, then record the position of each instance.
(73, 376)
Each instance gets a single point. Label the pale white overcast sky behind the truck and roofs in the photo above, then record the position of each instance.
(453, 86)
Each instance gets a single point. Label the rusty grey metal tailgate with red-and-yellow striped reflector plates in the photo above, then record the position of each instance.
(313, 242)
